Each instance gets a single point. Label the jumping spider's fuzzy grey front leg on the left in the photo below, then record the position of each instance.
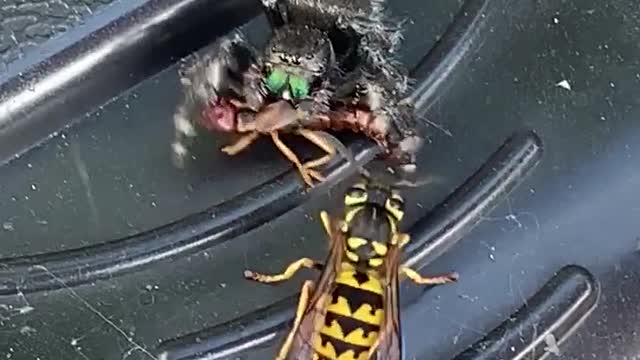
(205, 78)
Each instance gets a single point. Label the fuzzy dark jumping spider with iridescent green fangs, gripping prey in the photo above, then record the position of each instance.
(321, 55)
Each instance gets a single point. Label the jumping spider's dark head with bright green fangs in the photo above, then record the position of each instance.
(297, 58)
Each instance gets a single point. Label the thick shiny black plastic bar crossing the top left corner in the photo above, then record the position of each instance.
(71, 75)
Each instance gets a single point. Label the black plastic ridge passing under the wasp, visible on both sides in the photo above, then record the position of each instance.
(491, 183)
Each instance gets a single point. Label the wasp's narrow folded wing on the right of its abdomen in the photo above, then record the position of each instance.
(388, 346)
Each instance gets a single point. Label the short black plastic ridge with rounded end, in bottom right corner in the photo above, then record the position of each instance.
(557, 309)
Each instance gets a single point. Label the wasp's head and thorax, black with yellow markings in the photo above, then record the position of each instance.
(372, 218)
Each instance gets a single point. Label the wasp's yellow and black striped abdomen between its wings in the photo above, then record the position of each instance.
(353, 318)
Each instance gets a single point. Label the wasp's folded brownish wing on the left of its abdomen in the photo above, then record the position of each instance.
(313, 316)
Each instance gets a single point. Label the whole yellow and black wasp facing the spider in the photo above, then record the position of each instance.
(352, 312)
